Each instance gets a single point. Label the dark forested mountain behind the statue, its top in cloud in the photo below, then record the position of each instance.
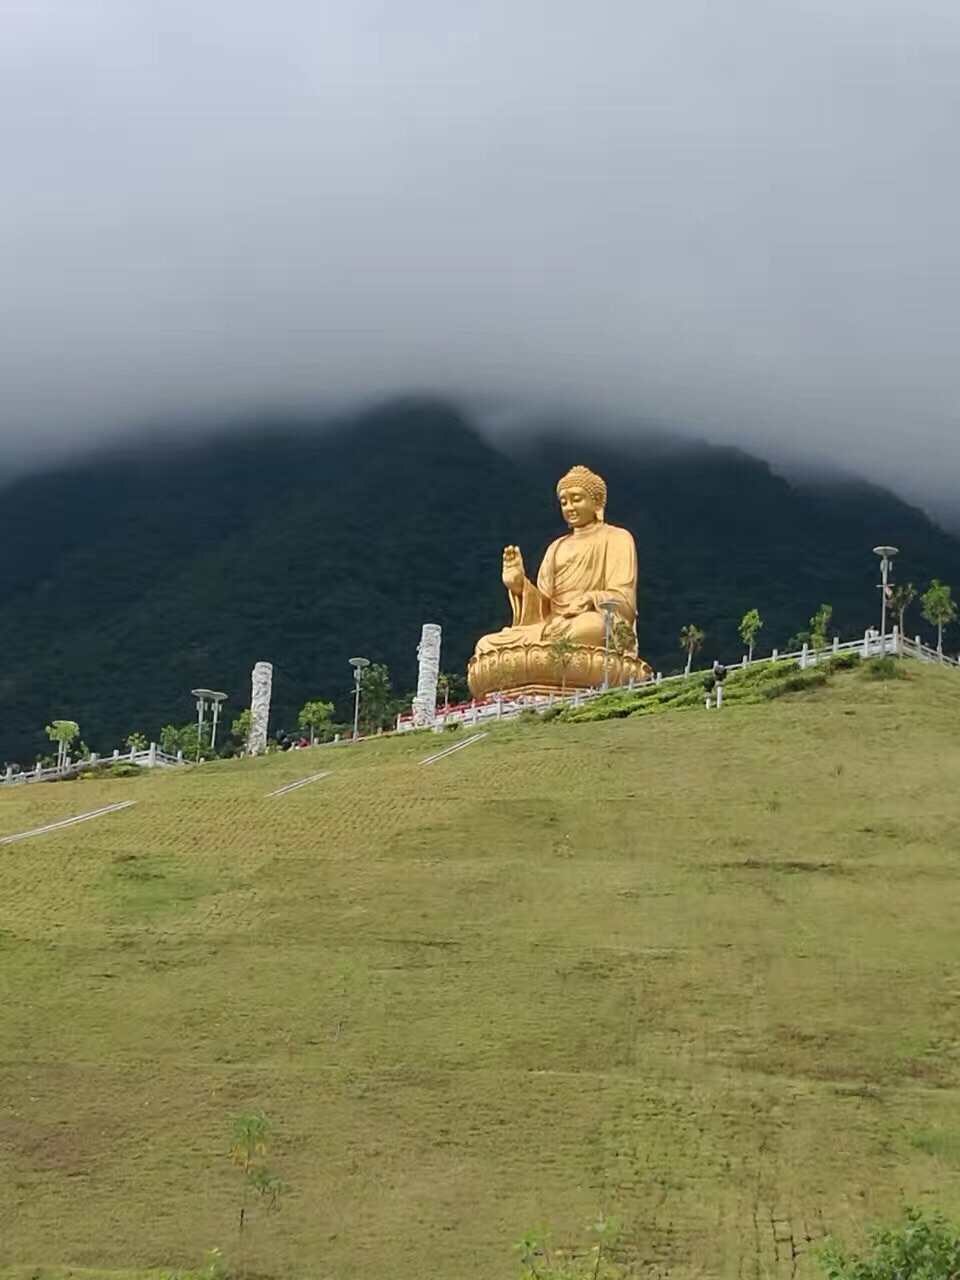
(129, 579)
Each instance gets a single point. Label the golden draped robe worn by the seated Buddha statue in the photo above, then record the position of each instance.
(579, 573)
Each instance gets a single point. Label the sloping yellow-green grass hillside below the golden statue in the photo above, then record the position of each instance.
(698, 971)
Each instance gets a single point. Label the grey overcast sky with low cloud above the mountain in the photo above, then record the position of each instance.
(742, 217)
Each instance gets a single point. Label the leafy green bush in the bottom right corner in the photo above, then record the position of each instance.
(925, 1247)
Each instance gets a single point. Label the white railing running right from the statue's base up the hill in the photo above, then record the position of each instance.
(872, 644)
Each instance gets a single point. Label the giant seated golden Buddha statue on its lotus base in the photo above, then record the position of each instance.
(587, 575)
